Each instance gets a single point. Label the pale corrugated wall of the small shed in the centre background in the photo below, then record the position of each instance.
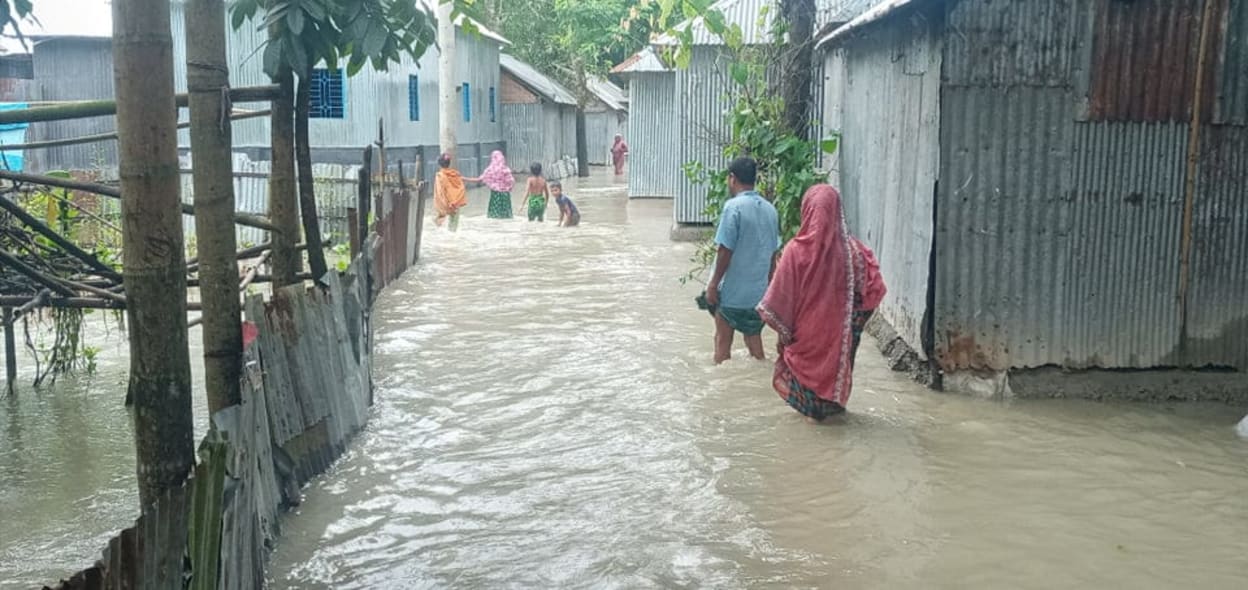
(652, 137)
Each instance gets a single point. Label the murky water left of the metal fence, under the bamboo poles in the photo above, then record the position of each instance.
(68, 463)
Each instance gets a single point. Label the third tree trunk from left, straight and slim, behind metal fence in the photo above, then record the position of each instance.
(283, 200)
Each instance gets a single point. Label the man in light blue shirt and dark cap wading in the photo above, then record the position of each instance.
(748, 240)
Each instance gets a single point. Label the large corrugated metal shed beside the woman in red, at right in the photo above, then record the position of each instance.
(1051, 183)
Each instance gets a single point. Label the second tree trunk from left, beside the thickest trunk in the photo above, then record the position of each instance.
(207, 79)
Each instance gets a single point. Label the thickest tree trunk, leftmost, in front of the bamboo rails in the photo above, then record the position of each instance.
(155, 264)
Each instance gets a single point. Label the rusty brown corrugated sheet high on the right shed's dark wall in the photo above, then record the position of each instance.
(1144, 60)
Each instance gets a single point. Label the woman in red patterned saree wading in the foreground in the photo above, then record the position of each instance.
(826, 289)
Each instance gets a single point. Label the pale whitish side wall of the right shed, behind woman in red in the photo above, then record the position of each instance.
(890, 155)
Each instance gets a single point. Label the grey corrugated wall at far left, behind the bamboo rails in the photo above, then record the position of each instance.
(73, 69)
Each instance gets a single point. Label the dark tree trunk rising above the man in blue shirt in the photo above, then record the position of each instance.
(799, 65)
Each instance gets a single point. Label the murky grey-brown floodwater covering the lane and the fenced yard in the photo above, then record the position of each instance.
(548, 417)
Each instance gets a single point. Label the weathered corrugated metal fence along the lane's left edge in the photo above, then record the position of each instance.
(306, 391)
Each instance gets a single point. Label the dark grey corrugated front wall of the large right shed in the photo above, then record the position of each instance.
(1059, 238)
